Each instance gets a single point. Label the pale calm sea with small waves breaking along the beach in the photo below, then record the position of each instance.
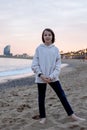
(12, 68)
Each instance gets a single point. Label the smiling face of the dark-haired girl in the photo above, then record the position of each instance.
(47, 37)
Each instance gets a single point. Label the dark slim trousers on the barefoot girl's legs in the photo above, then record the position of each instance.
(56, 86)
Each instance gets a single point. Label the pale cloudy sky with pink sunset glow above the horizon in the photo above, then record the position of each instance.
(22, 23)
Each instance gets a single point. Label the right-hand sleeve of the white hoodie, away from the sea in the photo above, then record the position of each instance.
(57, 68)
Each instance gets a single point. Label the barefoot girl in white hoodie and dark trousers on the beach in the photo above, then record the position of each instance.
(46, 65)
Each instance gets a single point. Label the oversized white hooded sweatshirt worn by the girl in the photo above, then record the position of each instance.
(47, 61)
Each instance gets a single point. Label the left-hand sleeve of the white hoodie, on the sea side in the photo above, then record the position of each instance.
(35, 63)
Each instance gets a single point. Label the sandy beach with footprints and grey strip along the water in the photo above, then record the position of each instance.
(18, 101)
